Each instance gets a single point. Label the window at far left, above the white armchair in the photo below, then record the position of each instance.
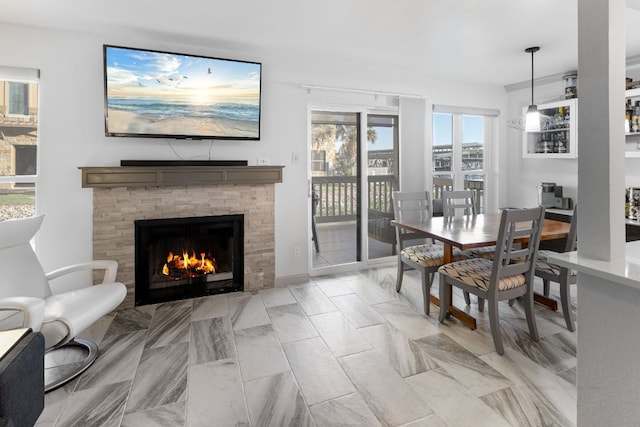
(18, 142)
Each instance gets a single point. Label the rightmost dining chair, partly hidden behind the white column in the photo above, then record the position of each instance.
(565, 277)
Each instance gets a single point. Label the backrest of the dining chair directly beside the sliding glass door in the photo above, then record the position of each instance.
(410, 206)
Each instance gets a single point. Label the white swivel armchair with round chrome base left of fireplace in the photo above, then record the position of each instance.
(29, 299)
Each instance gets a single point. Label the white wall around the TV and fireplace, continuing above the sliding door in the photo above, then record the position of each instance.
(72, 127)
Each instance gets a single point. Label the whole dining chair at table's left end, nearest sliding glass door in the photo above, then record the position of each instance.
(426, 256)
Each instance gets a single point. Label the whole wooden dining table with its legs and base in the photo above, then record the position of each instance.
(473, 231)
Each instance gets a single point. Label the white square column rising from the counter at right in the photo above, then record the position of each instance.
(601, 163)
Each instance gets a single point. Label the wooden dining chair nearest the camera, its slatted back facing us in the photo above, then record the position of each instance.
(508, 276)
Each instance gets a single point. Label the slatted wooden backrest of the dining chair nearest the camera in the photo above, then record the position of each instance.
(517, 225)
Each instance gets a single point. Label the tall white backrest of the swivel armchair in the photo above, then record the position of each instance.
(21, 273)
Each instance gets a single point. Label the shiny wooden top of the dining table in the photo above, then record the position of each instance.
(467, 232)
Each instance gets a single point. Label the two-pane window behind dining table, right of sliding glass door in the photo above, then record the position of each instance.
(459, 152)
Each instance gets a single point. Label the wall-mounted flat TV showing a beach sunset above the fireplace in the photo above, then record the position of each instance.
(158, 94)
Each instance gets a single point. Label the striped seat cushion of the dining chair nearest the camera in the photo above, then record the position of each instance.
(477, 272)
